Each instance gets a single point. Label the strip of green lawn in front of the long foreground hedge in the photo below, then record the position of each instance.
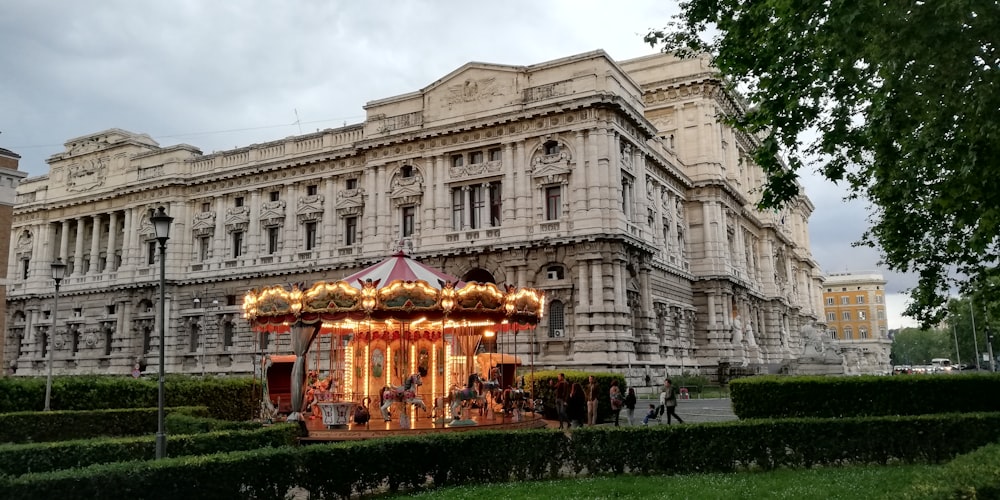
(862, 483)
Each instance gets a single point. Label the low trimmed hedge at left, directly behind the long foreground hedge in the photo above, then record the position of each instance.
(16, 460)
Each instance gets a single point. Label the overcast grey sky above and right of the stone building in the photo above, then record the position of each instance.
(219, 75)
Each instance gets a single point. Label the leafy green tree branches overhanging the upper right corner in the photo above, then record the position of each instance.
(901, 98)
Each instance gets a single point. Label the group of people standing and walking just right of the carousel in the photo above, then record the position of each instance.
(576, 405)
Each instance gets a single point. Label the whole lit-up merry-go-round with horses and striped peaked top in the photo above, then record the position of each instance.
(401, 344)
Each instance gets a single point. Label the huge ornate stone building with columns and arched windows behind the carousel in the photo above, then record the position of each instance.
(613, 186)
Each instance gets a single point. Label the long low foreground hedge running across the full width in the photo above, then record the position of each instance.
(415, 462)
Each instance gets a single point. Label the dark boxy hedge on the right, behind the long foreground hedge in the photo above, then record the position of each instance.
(817, 396)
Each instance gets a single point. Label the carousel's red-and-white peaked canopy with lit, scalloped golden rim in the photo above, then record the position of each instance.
(397, 288)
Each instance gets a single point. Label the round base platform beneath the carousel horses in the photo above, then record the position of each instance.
(378, 428)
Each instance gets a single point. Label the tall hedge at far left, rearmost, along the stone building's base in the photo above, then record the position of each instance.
(228, 398)
